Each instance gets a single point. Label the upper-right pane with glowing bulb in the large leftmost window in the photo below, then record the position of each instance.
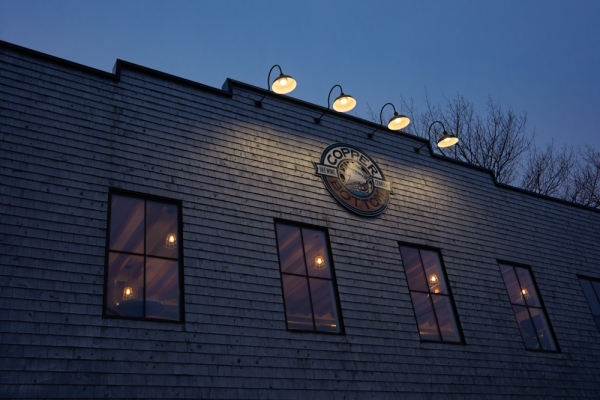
(161, 230)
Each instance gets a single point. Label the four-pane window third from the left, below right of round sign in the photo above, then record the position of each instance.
(431, 296)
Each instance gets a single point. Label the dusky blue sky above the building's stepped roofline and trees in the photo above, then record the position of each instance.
(539, 57)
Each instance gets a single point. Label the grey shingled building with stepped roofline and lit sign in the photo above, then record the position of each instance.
(160, 238)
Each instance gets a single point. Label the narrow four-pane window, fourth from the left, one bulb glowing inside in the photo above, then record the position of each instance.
(529, 310)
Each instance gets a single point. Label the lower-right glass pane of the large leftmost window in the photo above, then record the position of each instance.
(162, 288)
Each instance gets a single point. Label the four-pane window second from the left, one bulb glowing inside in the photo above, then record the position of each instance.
(307, 279)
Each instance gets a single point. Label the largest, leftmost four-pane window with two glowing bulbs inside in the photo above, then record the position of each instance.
(143, 271)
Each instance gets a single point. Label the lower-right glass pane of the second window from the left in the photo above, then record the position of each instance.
(324, 306)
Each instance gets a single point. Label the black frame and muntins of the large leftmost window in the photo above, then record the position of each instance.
(145, 197)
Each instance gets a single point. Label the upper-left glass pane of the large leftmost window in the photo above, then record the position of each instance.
(127, 224)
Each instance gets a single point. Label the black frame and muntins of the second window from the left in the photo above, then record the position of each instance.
(338, 303)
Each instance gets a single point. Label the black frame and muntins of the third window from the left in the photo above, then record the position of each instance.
(450, 295)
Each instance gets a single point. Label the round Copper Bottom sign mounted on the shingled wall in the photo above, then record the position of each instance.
(354, 179)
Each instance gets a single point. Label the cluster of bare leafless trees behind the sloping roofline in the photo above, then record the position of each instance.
(498, 140)
